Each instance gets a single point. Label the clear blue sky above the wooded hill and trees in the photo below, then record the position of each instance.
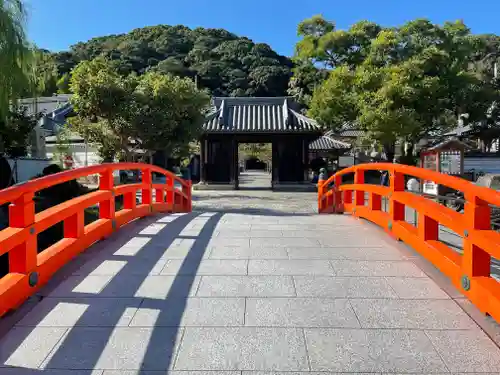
(57, 24)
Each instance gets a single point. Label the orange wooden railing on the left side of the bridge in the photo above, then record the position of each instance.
(28, 269)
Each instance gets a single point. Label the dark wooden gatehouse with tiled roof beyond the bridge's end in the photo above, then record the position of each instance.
(275, 120)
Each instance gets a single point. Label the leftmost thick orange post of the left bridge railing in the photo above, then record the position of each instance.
(23, 258)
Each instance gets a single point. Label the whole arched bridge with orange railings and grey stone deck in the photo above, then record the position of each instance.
(249, 280)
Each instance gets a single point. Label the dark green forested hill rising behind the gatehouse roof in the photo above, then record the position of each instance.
(218, 60)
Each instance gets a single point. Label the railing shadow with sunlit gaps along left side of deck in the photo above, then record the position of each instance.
(94, 315)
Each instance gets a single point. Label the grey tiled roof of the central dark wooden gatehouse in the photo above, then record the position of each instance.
(258, 115)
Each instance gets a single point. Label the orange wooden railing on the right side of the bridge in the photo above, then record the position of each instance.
(470, 271)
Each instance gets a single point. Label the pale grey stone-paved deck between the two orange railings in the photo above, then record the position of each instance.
(249, 281)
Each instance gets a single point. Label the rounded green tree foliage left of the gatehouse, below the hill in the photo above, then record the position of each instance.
(153, 112)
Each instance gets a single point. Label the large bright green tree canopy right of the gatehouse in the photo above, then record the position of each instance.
(397, 83)
